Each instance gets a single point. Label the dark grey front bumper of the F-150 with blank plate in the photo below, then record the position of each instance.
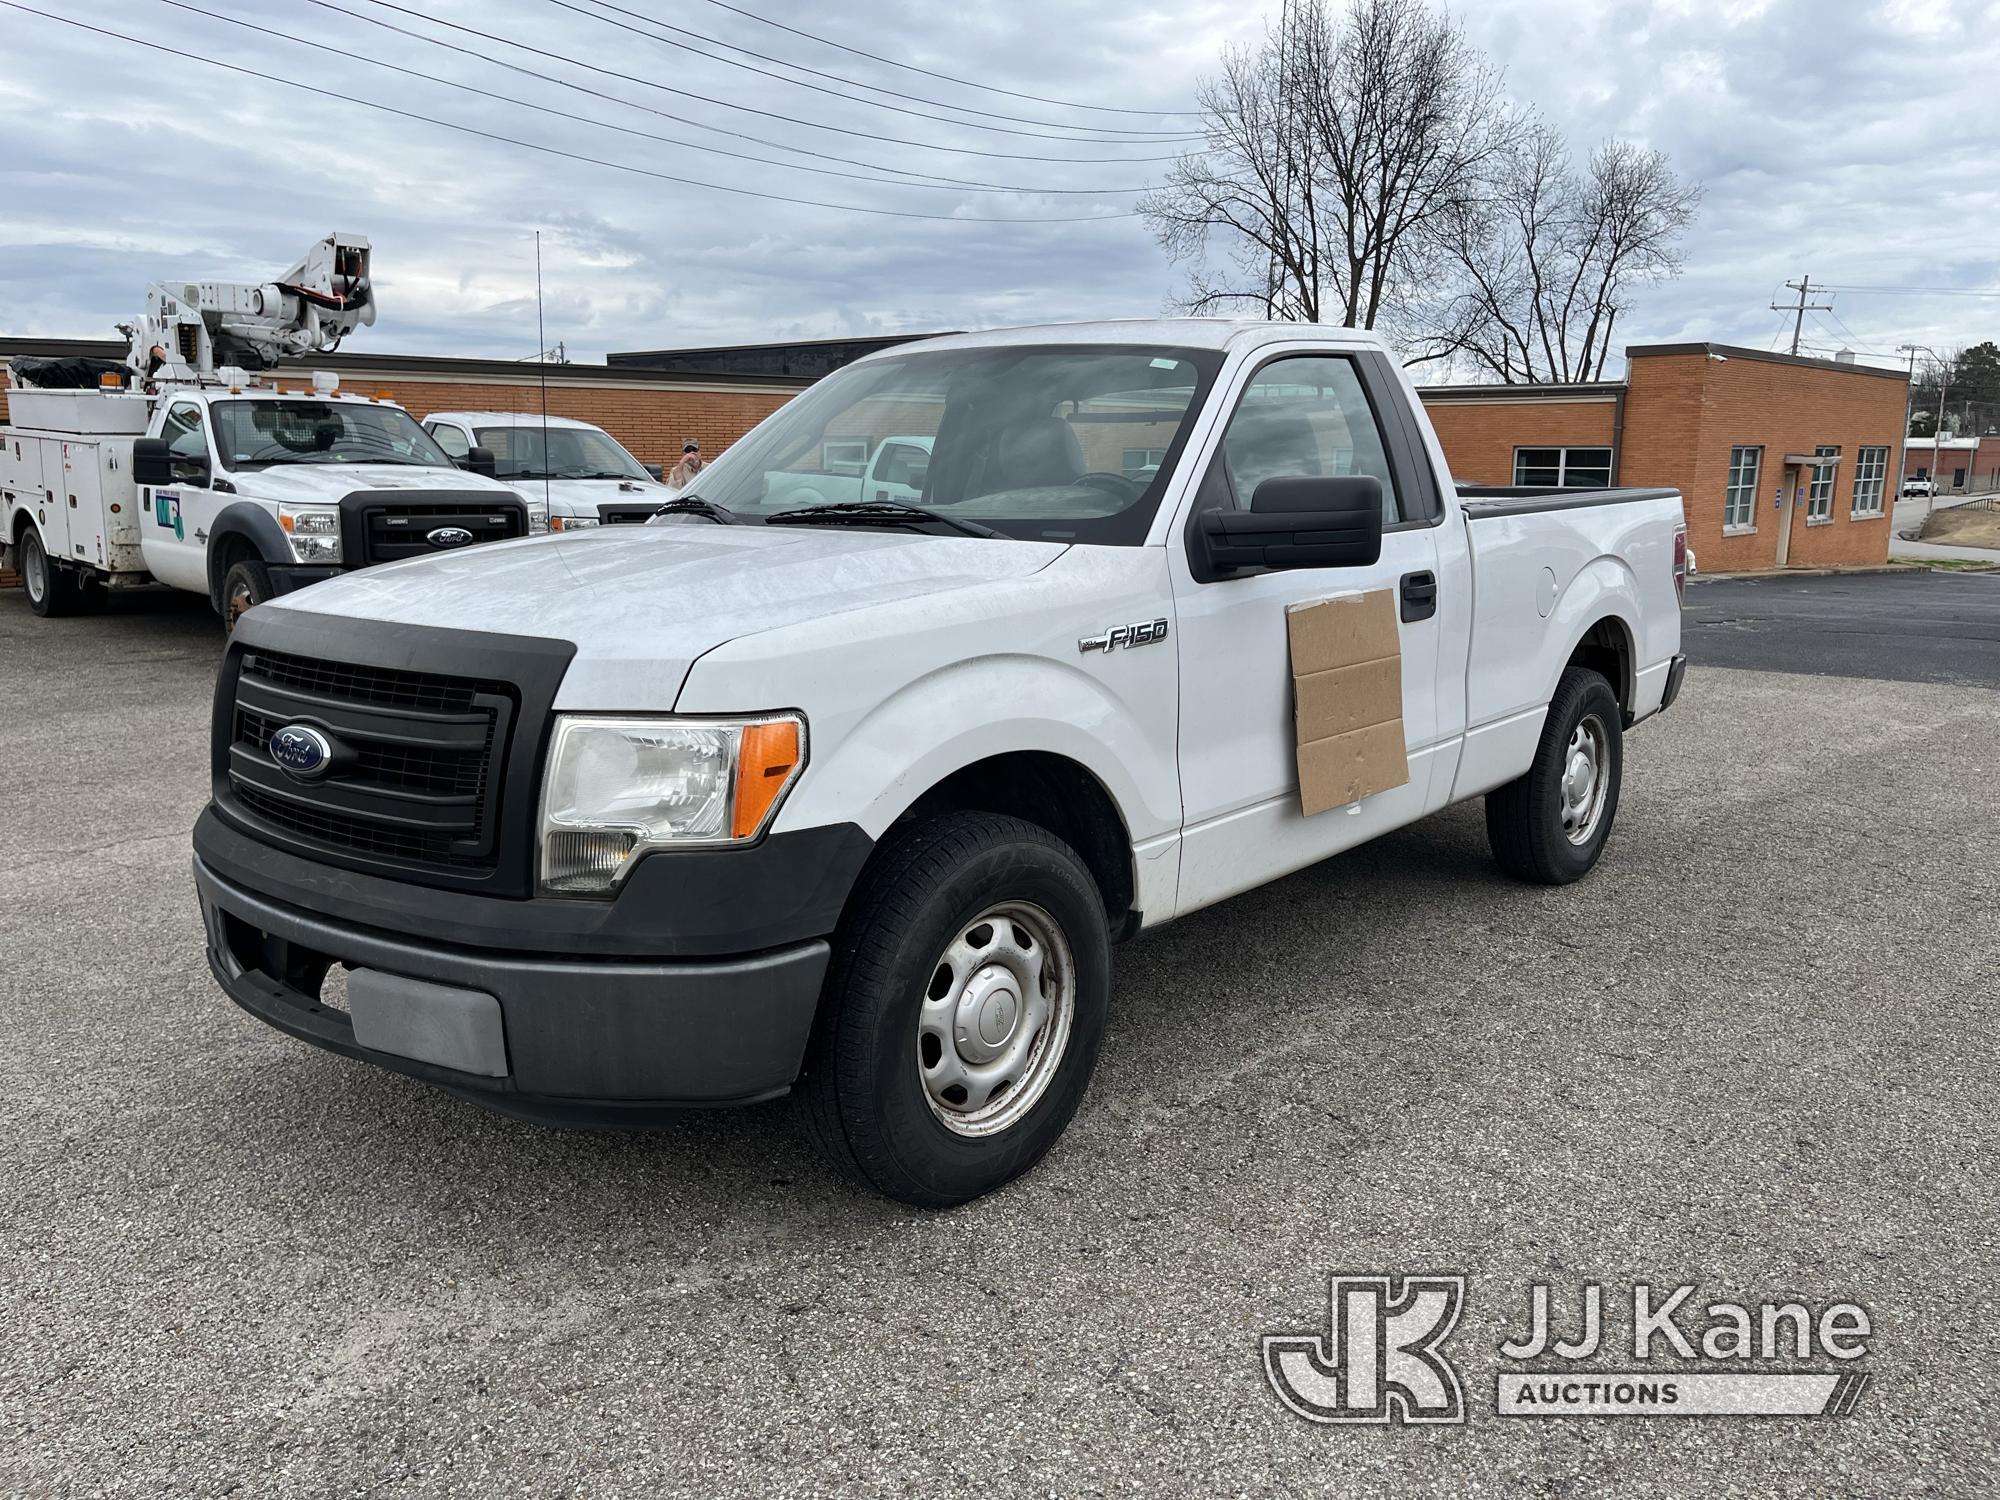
(555, 1039)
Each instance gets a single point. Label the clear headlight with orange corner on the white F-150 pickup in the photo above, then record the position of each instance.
(621, 787)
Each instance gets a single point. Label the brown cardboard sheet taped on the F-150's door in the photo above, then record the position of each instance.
(1347, 699)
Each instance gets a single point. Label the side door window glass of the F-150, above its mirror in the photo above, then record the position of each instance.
(1301, 419)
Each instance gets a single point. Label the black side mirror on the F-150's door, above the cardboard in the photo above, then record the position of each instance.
(1293, 523)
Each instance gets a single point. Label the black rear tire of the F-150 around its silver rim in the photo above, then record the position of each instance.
(1527, 819)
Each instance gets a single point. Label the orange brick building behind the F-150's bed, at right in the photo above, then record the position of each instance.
(1783, 461)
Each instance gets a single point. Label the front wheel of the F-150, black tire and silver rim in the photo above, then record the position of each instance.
(963, 1011)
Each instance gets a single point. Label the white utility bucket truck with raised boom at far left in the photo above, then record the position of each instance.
(181, 467)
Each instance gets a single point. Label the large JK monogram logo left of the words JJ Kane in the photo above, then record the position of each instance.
(1379, 1359)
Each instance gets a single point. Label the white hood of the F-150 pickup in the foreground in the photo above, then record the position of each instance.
(643, 603)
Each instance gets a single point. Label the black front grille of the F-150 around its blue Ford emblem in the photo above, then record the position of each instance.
(417, 767)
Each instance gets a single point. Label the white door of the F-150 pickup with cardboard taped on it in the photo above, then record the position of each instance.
(1239, 769)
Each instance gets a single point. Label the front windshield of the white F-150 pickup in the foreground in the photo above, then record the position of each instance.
(1043, 443)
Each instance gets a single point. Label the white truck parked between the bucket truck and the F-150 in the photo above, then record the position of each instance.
(579, 471)
